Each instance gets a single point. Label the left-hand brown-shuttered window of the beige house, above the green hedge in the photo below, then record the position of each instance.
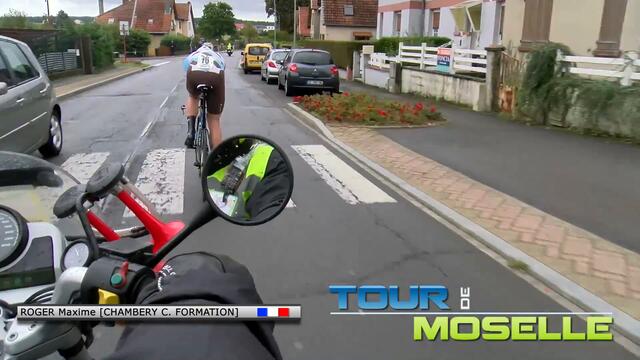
(537, 23)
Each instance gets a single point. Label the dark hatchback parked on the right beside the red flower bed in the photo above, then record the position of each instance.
(308, 69)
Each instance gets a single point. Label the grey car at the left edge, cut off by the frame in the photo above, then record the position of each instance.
(30, 116)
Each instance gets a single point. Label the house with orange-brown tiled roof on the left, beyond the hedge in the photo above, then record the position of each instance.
(157, 17)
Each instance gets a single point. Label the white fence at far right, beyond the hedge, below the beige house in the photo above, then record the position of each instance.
(625, 69)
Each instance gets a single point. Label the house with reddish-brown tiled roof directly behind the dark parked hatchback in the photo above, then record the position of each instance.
(343, 19)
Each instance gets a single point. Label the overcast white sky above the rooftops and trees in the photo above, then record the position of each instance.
(243, 9)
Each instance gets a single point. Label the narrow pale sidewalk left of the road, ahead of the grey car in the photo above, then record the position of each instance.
(72, 85)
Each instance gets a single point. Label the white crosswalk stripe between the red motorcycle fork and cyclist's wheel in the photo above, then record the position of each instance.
(161, 180)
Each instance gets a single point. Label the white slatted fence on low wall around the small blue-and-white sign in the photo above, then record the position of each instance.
(423, 56)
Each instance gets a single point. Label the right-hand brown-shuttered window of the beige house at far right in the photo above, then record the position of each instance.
(611, 28)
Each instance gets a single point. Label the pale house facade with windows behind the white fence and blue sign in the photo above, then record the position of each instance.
(469, 23)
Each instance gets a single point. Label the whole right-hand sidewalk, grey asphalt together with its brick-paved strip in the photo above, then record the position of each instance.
(600, 266)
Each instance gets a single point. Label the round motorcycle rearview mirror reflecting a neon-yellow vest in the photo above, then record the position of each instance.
(247, 180)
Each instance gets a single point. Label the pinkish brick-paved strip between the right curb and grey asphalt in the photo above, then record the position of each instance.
(603, 268)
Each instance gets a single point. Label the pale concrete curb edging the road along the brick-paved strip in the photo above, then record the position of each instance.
(623, 322)
